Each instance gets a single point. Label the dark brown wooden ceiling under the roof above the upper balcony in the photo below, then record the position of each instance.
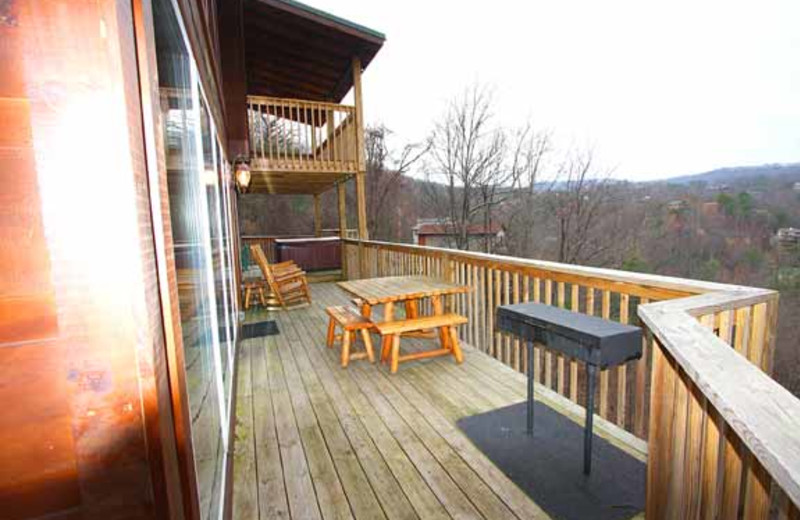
(295, 51)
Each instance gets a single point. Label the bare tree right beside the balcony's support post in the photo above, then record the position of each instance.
(385, 175)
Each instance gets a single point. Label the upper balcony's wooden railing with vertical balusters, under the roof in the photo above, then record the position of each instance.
(298, 135)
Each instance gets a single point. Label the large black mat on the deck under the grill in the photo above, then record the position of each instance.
(549, 466)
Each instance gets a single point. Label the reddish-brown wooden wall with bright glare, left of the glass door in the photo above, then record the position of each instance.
(86, 424)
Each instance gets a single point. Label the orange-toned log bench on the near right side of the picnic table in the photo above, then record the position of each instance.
(391, 331)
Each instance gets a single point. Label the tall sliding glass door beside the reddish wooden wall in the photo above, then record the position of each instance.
(198, 181)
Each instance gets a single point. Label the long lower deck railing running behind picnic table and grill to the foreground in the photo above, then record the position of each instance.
(699, 320)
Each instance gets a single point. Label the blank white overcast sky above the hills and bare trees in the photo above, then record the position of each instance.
(656, 88)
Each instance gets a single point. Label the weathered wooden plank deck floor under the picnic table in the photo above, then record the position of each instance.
(314, 440)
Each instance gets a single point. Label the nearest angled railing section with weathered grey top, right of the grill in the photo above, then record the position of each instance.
(718, 424)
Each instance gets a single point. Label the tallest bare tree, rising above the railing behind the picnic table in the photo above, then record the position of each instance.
(468, 158)
